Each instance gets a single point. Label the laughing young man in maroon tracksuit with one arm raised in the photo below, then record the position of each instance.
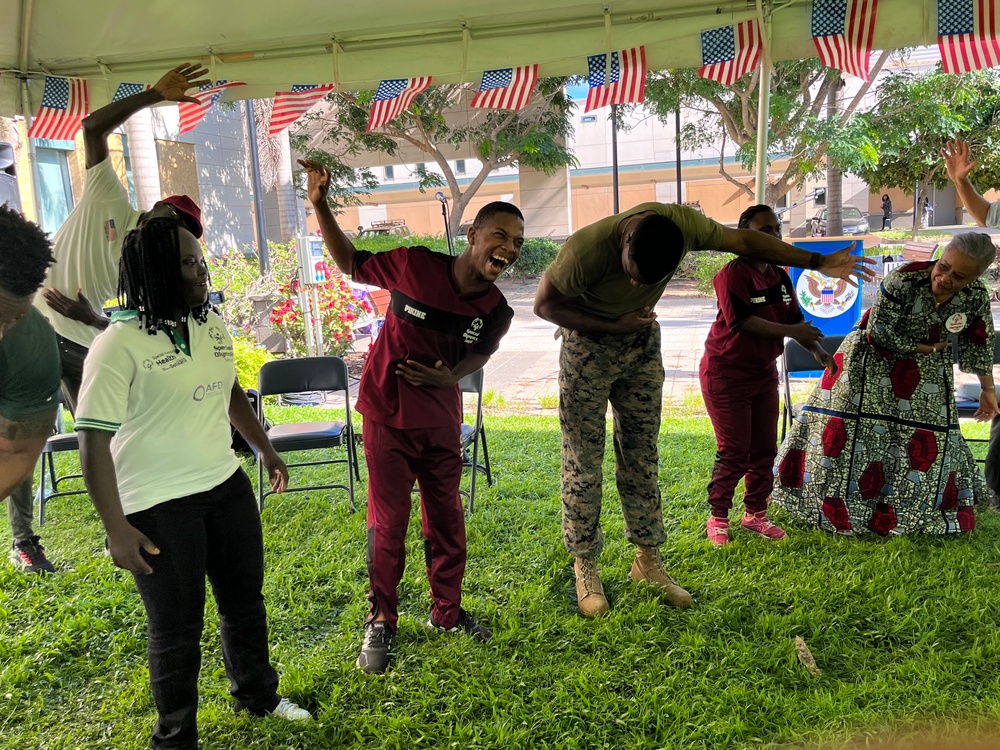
(445, 319)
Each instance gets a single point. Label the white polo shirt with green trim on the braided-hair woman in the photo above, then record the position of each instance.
(169, 410)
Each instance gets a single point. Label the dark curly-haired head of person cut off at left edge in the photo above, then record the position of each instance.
(25, 256)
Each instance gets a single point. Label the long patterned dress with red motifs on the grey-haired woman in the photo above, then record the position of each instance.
(877, 446)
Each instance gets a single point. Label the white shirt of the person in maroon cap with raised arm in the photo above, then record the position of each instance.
(87, 249)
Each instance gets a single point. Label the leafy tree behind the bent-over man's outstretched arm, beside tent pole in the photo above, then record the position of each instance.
(799, 129)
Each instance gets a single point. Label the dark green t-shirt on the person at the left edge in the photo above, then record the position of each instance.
(29, 368)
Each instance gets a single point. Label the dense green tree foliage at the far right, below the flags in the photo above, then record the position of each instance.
(897, 143)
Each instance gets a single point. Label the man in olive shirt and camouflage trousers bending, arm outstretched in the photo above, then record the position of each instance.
(601, 290)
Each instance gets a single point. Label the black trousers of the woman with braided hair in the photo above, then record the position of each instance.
(215, 533)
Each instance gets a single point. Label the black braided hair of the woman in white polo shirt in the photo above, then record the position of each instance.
(149, 276)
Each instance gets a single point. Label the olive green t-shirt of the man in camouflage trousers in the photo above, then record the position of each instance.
(589, 266)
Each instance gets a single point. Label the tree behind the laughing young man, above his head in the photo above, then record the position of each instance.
(534, 136)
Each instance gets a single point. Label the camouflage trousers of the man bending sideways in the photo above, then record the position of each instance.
(626, 370)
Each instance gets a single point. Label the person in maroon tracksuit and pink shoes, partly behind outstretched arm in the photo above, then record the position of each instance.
(739, 379)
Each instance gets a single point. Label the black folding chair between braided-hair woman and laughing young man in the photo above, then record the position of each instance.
(322, 374)
